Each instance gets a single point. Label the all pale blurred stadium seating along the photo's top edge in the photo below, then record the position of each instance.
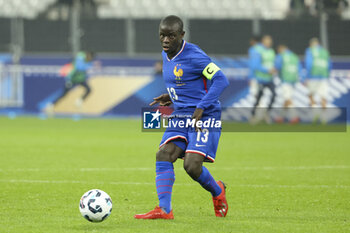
(152, 9)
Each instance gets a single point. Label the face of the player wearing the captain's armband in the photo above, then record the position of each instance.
(170, 38)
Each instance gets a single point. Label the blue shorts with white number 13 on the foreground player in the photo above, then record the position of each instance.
(204, 143)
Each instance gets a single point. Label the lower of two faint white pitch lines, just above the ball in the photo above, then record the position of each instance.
(298, 186)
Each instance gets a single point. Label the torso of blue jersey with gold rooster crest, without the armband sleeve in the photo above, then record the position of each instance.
(184, 79)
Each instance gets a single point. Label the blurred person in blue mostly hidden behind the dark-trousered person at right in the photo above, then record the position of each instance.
(254, 43)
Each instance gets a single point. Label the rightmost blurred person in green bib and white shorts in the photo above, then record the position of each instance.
(318, 65)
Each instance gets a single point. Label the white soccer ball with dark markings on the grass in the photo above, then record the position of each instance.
(95, 205)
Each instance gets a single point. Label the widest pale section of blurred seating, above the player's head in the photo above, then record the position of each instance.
(219, 9)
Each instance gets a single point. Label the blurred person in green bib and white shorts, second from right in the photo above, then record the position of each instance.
(289, 70)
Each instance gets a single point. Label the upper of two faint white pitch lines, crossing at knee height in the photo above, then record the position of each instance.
(321, 167)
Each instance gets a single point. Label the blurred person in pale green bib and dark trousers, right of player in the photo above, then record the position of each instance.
(263, 70)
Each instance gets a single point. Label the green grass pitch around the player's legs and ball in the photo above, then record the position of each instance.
(277, 182)
